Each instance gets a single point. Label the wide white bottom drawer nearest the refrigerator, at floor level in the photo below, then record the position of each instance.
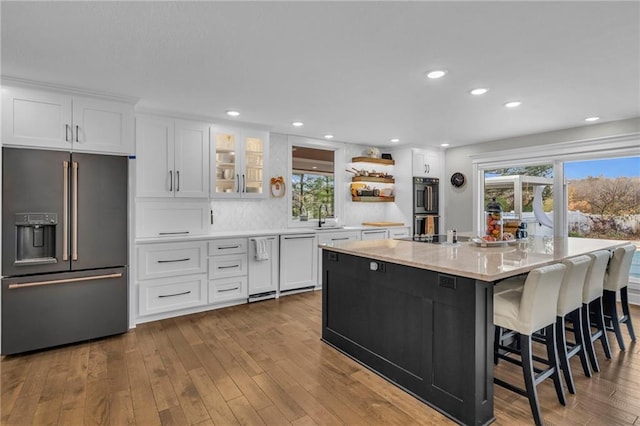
(170, 294)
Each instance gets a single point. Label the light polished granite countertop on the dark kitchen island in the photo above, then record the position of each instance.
(468, 260)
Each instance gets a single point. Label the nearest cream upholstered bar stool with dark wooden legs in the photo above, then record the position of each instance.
(525, 310)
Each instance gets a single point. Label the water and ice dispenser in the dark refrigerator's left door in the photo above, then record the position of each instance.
(35, 238)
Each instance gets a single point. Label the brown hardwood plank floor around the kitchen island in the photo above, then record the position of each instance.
(264, 363)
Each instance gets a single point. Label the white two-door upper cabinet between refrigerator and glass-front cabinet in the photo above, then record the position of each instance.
(172, 158)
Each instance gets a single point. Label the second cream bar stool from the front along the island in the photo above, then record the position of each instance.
(570, 307)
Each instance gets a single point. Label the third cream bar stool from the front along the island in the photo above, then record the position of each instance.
(592, 307)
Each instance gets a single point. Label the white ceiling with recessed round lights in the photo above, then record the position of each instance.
(354, 69)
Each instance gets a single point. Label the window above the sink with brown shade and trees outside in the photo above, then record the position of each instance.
(313, 183)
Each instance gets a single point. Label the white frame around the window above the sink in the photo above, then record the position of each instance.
(338, 178)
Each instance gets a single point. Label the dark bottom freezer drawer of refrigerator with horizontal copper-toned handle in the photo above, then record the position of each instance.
(50, 310)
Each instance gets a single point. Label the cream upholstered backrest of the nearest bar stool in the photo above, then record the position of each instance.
(540, 296)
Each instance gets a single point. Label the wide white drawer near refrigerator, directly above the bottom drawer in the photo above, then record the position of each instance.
(171, 259)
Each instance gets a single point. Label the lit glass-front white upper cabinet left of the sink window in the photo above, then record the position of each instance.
(239, 159)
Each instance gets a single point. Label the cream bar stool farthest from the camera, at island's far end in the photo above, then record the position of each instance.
(617, 279)
